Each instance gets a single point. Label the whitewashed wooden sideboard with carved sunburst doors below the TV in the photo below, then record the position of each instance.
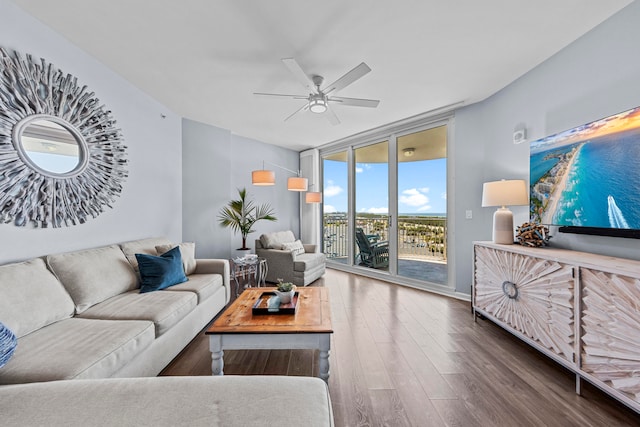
(580, 309)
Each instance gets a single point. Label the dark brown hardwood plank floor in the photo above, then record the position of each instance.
(404, 357)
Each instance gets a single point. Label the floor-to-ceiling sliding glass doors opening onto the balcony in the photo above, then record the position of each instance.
(385, 205)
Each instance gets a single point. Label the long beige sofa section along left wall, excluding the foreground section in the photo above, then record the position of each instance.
(81, 315)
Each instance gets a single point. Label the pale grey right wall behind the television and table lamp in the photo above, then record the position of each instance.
(594, 77)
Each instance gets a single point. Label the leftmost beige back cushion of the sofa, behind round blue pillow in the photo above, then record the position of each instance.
(31, 297)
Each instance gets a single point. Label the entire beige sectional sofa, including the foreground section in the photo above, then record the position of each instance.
(85, 332)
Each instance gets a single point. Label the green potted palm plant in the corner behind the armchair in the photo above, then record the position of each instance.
(240, 215)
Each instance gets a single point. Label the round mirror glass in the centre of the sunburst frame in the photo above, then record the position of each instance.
(50, 146)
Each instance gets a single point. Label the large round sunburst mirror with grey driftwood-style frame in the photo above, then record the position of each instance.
(61, 157)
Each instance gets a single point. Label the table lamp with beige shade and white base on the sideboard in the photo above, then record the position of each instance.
(504, 193)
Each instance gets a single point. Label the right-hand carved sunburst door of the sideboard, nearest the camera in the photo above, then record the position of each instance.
(610, 325)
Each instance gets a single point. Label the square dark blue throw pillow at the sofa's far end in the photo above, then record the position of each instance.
(160, 272)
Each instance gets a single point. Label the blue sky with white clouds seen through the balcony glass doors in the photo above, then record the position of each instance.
(421, 187)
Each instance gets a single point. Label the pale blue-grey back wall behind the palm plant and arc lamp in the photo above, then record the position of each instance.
(216, 163)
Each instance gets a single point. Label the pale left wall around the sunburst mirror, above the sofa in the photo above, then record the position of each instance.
(150, 203)
